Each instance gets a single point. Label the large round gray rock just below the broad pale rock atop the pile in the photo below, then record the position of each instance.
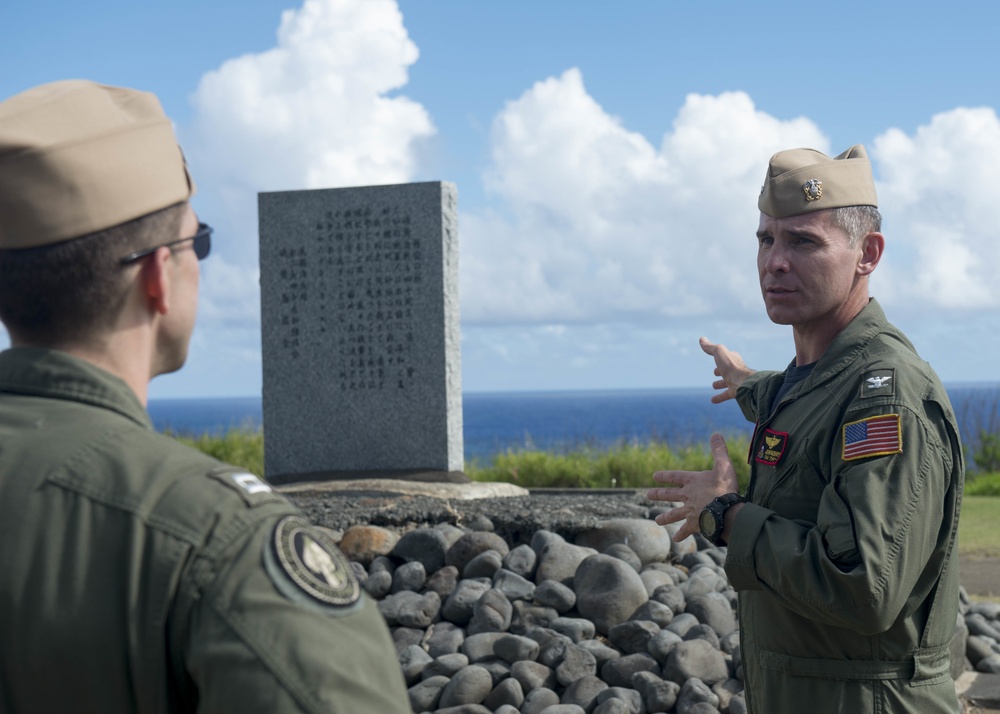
(608, 591)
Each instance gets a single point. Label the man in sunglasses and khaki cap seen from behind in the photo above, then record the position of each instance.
(137, 575)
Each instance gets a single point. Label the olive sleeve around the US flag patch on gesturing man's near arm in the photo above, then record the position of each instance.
(880, 521)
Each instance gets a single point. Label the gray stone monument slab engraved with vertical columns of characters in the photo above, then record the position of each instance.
(360, 332)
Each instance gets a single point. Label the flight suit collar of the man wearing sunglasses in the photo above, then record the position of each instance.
(57, 375)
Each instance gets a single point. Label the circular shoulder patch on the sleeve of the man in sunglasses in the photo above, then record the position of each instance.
(312, 564)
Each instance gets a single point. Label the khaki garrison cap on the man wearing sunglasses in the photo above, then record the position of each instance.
(78, 157)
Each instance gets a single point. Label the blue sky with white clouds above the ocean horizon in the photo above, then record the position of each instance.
(607, 157)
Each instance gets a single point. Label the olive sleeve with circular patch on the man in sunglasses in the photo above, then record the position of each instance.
(281, 625)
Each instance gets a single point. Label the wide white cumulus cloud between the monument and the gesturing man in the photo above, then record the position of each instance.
(600, 225)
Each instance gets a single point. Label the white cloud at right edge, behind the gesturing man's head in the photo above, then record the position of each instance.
(938, 195)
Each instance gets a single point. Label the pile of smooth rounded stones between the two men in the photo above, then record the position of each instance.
(622, 620)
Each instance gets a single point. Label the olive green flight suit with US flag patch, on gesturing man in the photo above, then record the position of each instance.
(845, 558)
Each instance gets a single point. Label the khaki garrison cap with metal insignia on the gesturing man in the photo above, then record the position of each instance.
(804, 180)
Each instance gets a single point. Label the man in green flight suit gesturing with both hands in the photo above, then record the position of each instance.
(842, 550)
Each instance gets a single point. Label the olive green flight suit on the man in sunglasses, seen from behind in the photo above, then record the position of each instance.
(137, 575)
